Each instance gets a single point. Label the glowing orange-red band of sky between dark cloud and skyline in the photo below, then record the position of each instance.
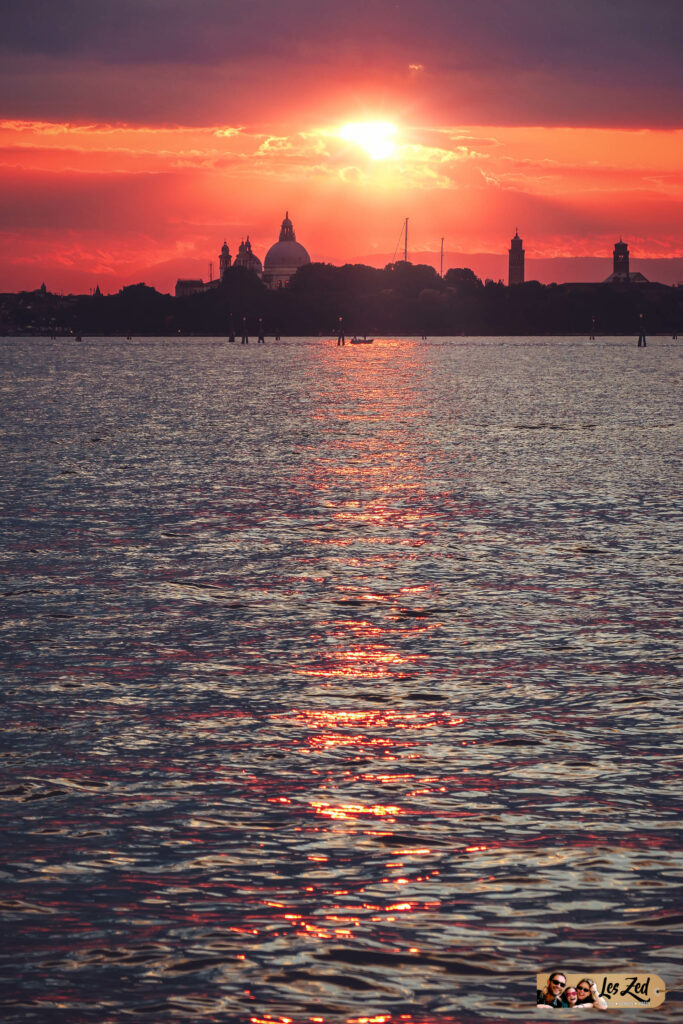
(155, 202)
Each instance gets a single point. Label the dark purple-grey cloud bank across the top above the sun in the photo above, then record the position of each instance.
(531, 62)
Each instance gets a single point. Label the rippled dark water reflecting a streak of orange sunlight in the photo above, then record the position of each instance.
(339, 684)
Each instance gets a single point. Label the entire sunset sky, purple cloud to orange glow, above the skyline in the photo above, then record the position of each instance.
(136, 136)
